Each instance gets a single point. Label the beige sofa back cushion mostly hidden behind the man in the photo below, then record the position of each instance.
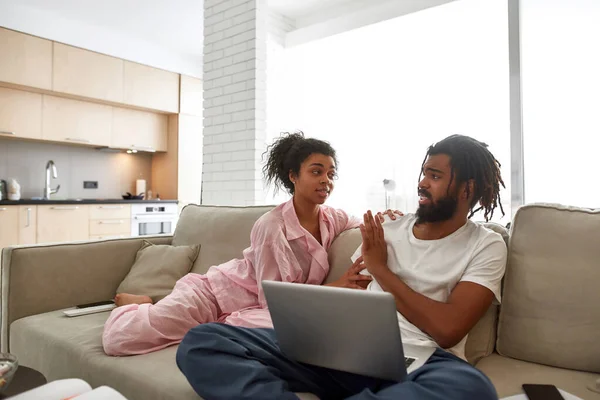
(482, 337)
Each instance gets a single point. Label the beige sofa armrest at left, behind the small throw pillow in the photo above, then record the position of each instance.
(43, 278)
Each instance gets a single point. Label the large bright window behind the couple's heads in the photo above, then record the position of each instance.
(383, 93)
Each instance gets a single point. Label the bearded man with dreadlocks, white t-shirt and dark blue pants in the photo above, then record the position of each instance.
(443, 270)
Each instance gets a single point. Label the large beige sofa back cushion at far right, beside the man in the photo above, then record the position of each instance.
(550, 312)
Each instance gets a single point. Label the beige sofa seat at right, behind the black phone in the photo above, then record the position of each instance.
(509, 374)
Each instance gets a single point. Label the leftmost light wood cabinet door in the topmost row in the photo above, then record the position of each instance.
(25, 60)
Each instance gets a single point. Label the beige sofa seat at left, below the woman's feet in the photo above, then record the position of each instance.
(62, 347)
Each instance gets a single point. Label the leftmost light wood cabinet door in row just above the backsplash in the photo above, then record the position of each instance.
(20, 114)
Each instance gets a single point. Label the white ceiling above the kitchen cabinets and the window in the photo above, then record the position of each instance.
(163, 33)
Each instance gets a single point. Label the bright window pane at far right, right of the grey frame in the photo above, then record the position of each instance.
(561, 100)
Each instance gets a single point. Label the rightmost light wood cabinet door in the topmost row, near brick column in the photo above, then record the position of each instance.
(150, 88)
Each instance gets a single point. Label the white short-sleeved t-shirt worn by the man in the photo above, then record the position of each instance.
(434, 267)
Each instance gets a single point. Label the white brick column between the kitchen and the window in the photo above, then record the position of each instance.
(235, 54)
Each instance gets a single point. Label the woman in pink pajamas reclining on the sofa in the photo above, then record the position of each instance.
(288, 243)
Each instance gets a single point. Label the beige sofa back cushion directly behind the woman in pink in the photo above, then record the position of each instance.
(223, 232)
